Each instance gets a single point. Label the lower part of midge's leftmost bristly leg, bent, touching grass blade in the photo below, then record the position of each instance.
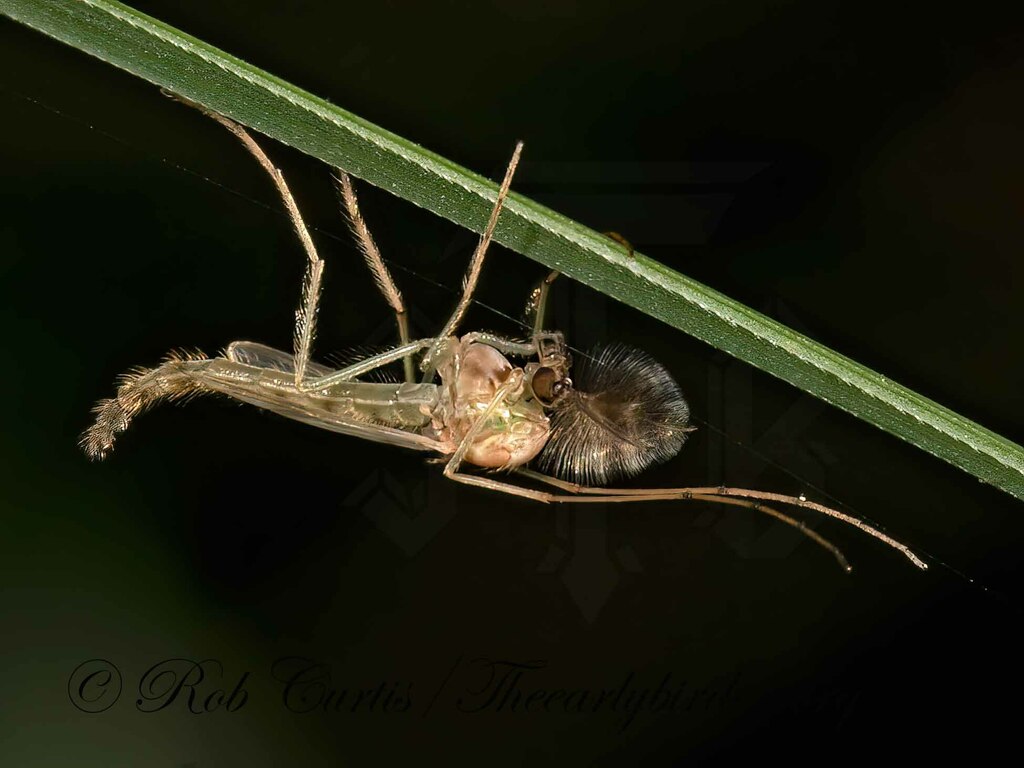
(306, 317)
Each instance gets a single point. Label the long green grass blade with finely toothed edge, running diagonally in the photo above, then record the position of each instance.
(170, 59)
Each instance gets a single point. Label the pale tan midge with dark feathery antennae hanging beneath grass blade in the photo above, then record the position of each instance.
(513, 407)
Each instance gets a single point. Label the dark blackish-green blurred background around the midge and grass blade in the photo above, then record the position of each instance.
(852, 170)
